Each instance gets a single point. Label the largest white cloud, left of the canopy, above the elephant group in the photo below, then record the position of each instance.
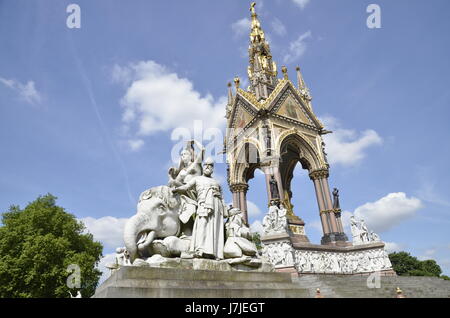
(159, 100)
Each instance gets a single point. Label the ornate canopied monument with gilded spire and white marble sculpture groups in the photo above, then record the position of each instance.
(185, 241)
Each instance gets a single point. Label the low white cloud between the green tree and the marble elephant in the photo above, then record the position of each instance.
(108, 230)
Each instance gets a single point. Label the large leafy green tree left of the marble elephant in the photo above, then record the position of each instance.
(37, 244)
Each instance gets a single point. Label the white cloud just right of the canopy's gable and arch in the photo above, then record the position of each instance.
(346, 146)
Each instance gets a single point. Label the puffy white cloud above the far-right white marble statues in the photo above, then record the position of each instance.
(389, 211)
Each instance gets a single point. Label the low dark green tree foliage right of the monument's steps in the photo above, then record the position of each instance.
(406, 265)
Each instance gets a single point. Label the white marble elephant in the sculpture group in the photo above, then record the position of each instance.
(155, 228)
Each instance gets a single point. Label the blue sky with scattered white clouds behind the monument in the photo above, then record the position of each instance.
(84, 113)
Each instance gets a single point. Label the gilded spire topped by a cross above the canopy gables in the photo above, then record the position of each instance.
(262, 71)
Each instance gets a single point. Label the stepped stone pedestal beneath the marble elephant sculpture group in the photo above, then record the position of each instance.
(213, 280)
